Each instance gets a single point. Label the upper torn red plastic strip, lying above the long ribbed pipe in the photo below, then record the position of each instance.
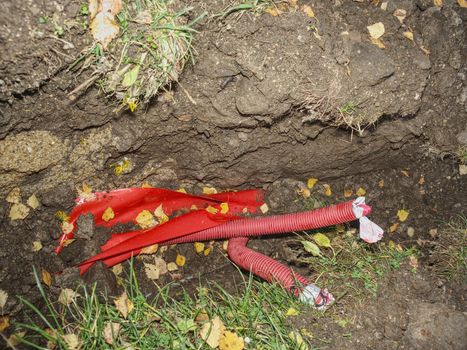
(128, 203)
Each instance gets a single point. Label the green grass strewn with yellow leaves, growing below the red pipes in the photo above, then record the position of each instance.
(258, 314)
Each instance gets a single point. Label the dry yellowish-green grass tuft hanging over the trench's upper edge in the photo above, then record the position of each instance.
(154, 44)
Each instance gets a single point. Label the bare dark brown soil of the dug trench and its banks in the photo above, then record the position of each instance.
(250, 128)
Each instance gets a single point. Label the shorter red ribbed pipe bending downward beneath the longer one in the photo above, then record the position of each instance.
(264, 266)
